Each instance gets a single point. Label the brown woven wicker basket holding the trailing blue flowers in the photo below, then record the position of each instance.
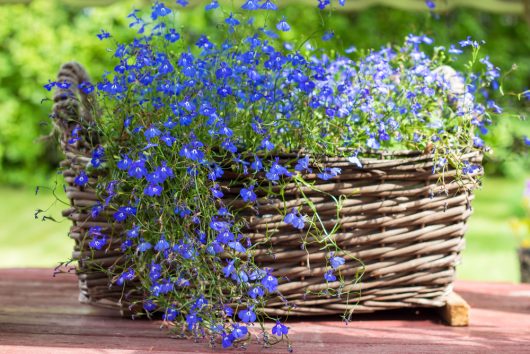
(393, 218)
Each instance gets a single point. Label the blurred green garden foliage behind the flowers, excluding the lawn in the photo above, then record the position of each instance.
(35, 39)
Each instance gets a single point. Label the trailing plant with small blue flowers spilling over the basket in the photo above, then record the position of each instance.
(179, 116)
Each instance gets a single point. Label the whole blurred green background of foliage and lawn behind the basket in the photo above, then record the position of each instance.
(37, 36)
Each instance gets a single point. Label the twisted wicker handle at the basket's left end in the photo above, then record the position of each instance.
(72, 106)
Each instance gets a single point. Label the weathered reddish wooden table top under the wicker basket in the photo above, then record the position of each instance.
(40, 314)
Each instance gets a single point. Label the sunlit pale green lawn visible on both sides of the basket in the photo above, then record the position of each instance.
(489, 255)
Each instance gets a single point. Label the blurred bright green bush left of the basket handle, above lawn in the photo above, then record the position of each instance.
(35, 40)
